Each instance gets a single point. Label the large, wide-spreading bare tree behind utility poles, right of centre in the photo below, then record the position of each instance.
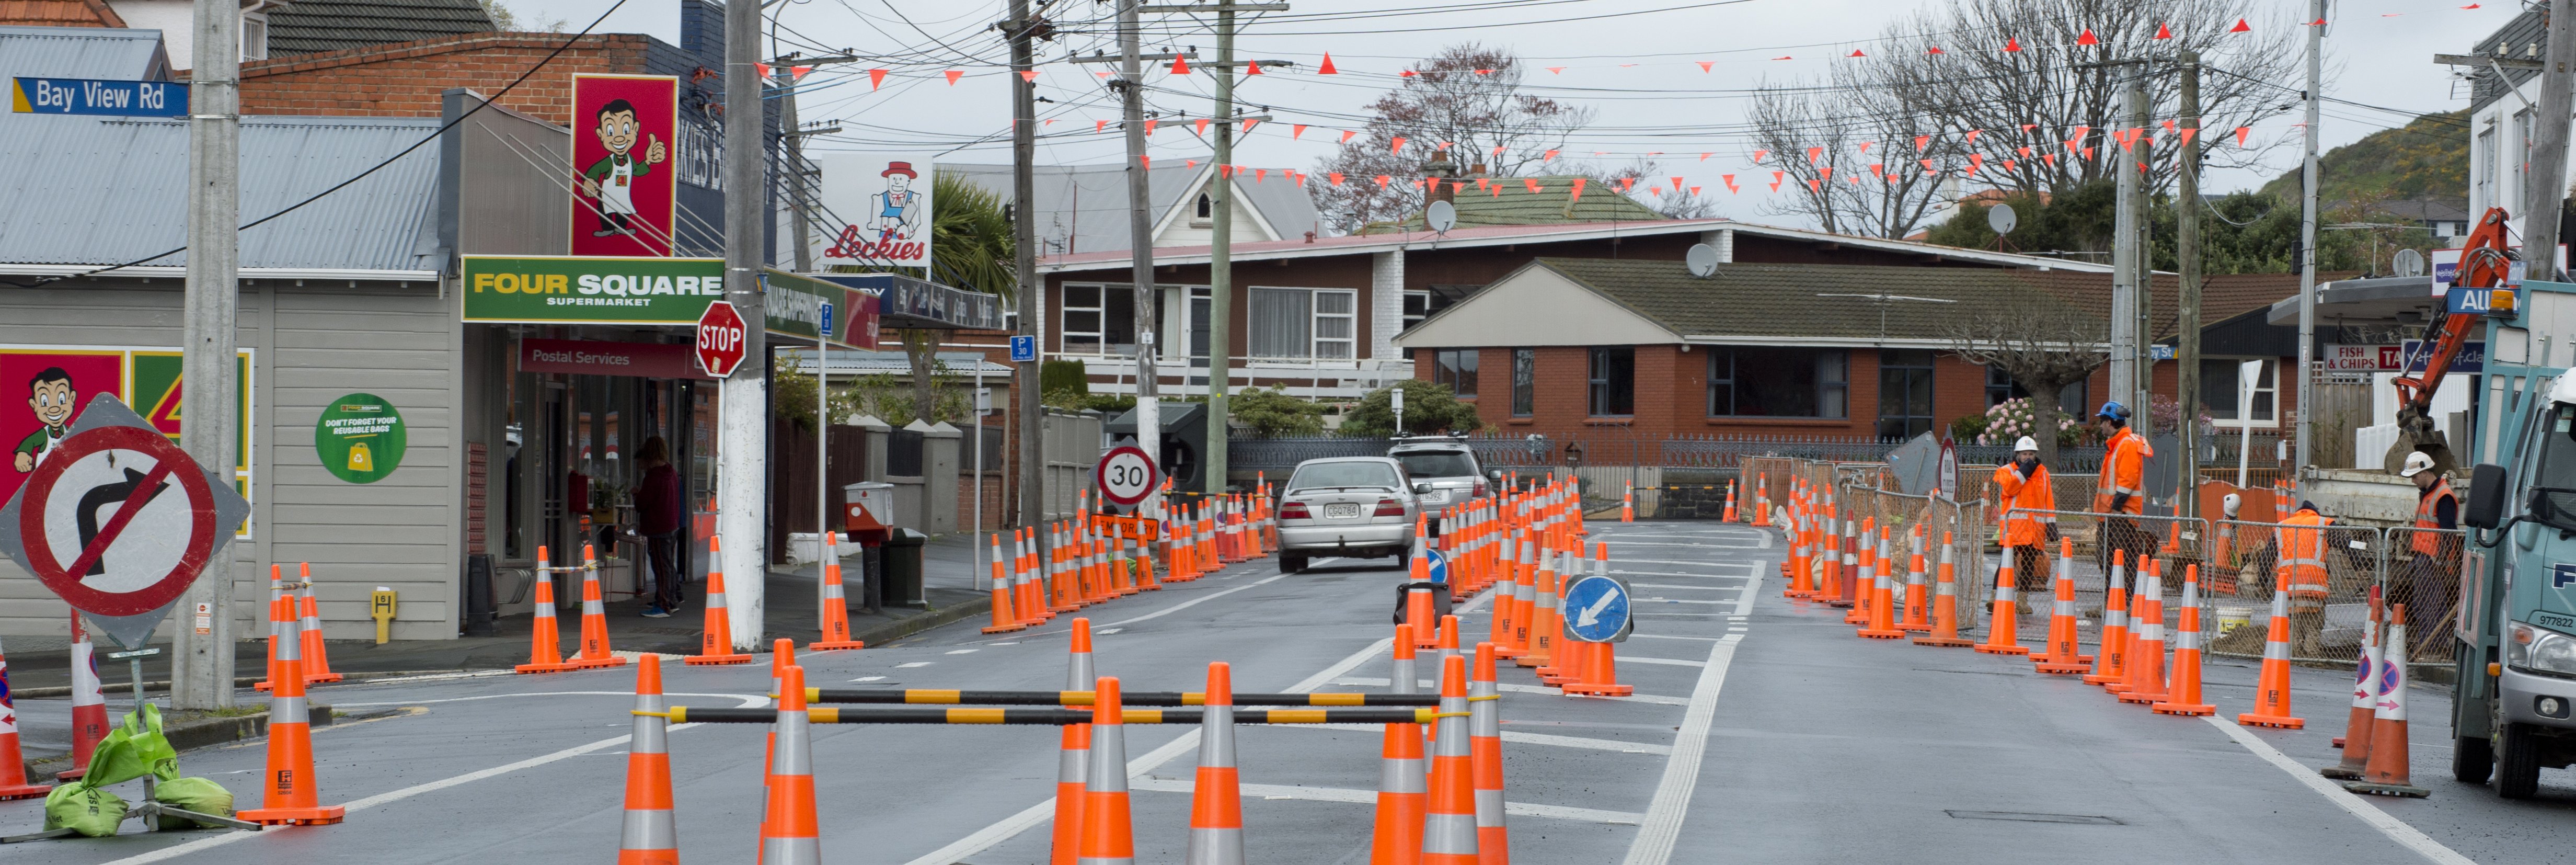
(2044, 115)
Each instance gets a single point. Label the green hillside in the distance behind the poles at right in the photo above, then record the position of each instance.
(2428, 158)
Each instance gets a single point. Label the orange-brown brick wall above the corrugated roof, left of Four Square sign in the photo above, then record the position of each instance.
(406, 79)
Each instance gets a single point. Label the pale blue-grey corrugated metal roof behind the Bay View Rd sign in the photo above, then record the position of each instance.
(117, 189)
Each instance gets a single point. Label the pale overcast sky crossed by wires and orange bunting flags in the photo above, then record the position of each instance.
(1637, 63)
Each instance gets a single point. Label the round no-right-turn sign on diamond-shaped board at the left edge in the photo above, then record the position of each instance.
(120, 521)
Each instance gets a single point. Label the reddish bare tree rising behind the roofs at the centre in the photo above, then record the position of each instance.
(1467, 104)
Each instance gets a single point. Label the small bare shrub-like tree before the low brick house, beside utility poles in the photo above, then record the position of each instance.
(2041, 349)
